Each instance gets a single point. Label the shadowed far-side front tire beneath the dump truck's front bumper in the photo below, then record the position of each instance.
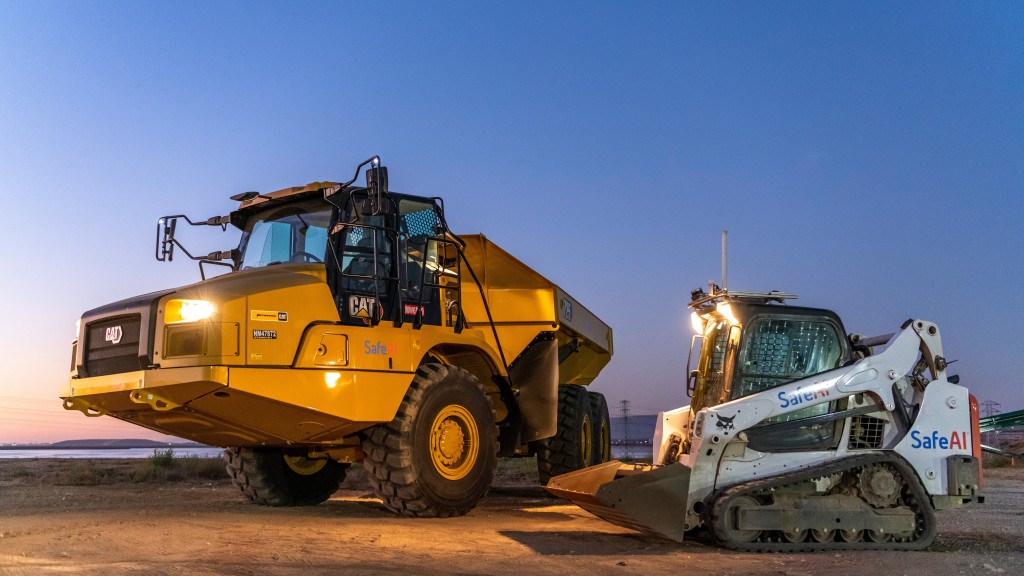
(268, 476)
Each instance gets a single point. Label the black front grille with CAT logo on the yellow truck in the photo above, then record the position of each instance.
(112, 346)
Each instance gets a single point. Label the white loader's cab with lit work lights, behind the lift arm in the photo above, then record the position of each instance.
(749, 347)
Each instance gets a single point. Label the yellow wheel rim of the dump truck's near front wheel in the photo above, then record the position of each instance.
(455, 442)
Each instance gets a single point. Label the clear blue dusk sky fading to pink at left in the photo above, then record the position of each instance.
(869, 157)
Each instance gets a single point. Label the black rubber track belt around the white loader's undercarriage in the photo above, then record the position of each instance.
(920, 503)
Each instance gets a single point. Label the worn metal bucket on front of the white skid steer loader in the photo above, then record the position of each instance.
(642, 498)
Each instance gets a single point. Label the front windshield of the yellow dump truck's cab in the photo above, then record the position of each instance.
(291, 234)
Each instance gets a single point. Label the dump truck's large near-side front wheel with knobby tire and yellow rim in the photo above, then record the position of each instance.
(437, 459)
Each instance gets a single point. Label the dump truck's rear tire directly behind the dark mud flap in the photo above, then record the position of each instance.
(572, 447)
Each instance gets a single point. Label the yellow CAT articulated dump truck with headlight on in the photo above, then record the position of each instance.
(354, 326)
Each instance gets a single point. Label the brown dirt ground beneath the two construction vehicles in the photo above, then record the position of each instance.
(205, 527)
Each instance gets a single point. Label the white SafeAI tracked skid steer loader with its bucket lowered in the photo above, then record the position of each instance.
(798, 437)
